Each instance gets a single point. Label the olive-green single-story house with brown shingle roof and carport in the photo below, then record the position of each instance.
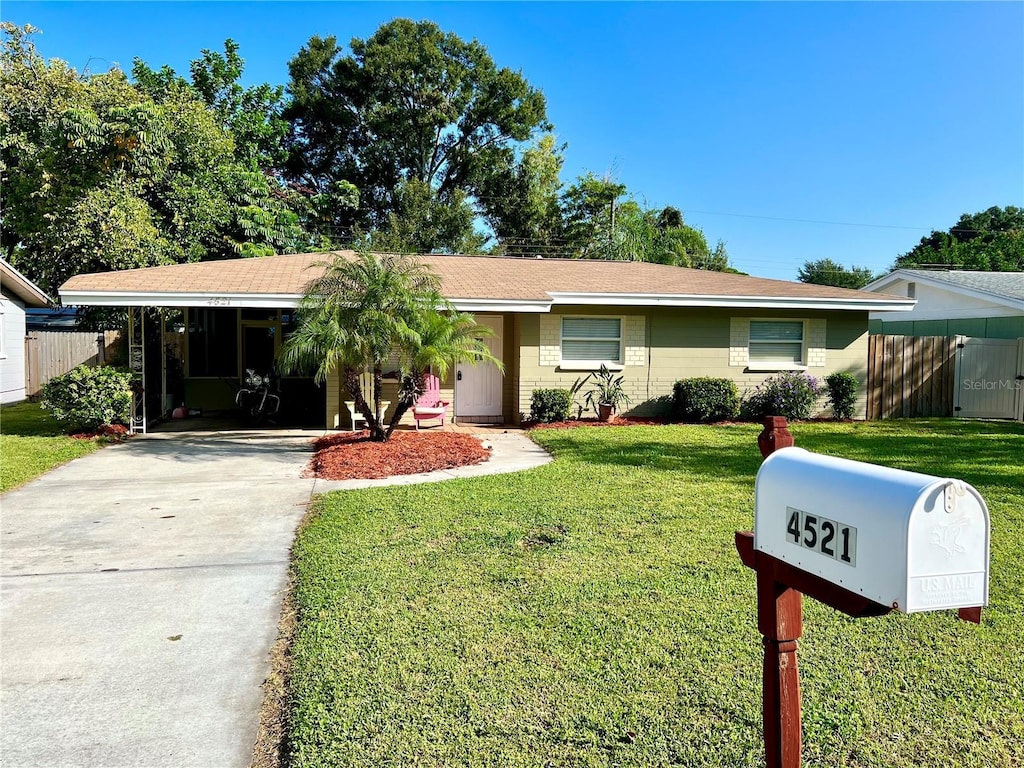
(553, 320)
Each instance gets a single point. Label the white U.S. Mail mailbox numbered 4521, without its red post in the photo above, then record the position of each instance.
(909, 541)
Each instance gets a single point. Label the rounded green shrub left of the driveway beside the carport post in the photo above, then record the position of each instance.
(87, 398)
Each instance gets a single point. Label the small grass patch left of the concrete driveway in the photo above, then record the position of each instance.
(31, 444)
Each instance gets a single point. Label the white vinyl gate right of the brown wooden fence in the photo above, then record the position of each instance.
(990, 378)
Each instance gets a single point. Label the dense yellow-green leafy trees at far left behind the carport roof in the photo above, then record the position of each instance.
(99, 176)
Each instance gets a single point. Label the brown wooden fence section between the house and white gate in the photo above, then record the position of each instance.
(911, 376)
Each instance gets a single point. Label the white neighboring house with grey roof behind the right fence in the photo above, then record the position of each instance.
(985, 306)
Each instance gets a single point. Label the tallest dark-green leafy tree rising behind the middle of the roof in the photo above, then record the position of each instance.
(412, 107)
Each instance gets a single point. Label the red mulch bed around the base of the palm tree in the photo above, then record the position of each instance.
(354, 456)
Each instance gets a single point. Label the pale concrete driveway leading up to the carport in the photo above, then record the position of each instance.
(141, 595)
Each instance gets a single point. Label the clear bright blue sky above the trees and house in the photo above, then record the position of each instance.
(759, 121)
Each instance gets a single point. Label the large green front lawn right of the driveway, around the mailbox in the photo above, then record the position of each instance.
(595, 613)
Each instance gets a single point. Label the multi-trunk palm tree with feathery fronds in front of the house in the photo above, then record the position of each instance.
(369, 312)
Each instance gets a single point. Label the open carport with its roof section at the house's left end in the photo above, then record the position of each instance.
(195, 329)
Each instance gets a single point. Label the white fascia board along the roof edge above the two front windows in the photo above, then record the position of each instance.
(736, 303)
